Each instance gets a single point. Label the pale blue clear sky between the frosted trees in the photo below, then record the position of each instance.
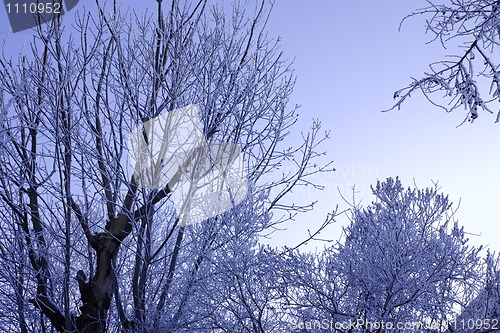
(349, 60)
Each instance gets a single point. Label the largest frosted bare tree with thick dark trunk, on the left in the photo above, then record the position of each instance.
(86, 244)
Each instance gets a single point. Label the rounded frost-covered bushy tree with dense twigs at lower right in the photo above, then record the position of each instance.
(403, 261)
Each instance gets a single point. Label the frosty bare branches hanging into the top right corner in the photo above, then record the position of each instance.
(469, 79)
